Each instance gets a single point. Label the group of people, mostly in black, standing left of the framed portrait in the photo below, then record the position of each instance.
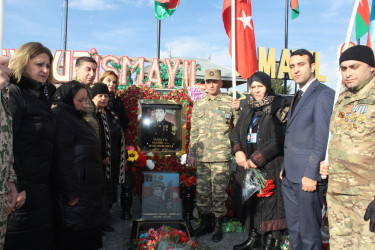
(63, 153)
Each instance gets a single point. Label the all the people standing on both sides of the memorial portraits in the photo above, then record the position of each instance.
(63, 154)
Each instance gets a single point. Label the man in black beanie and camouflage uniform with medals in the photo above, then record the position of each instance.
(351, 154)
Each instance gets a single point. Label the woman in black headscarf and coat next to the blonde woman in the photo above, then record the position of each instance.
(78, 175)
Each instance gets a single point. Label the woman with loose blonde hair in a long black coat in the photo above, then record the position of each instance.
(30, 99)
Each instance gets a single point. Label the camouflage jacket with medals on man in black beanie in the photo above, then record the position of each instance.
(352, 145)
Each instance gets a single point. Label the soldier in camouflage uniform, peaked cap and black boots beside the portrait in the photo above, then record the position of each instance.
(211, 123)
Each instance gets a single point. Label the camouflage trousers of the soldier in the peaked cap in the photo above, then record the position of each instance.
(212, 181)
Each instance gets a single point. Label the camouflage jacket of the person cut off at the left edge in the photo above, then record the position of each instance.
(6, 145)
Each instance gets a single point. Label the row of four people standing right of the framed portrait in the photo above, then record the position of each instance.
(287, 143)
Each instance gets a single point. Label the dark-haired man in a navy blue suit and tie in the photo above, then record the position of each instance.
(305, 145)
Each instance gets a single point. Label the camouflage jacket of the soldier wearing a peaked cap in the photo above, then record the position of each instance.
(211, 124)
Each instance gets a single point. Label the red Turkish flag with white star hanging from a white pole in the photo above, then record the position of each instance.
(246, 57)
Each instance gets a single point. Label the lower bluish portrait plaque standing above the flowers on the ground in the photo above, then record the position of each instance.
(161, 196)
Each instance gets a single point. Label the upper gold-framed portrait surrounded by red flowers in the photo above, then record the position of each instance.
(162, 126)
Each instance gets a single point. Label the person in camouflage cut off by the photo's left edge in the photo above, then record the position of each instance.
(8, 193)
